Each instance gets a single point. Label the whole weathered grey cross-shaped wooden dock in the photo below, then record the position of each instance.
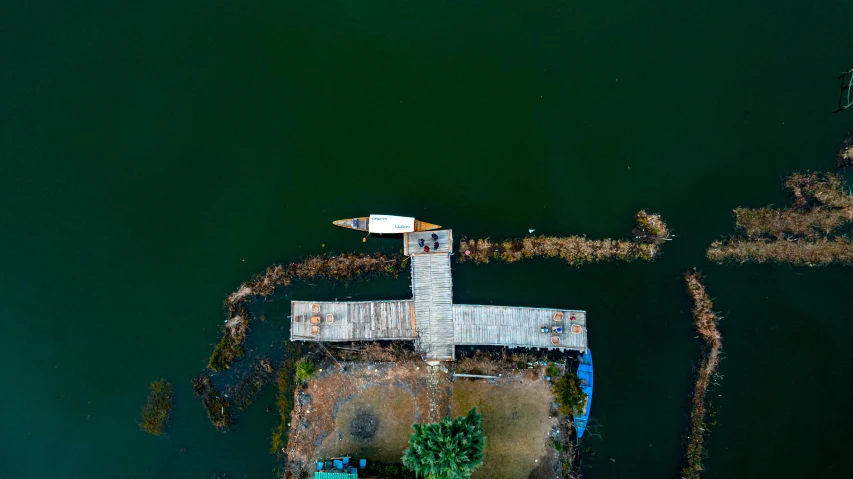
(431, 319)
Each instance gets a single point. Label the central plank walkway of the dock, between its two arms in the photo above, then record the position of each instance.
(432, 288)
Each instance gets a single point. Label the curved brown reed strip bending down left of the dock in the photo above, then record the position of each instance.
(339, 267)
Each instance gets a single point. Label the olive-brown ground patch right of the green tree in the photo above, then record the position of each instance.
(516, 422)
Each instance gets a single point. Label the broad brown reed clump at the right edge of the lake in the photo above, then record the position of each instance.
(799, 235)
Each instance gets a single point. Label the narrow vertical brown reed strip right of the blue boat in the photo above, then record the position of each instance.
(705, 321)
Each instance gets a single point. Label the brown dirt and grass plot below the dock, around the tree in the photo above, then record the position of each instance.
(365, 409)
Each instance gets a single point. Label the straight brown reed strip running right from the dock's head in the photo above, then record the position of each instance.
(650, 232)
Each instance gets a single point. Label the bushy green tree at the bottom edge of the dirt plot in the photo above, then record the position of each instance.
(450, 449)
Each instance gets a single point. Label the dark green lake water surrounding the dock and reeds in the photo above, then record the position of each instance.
(156, 155)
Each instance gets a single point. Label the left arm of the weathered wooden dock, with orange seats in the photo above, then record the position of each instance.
(353, 320)
